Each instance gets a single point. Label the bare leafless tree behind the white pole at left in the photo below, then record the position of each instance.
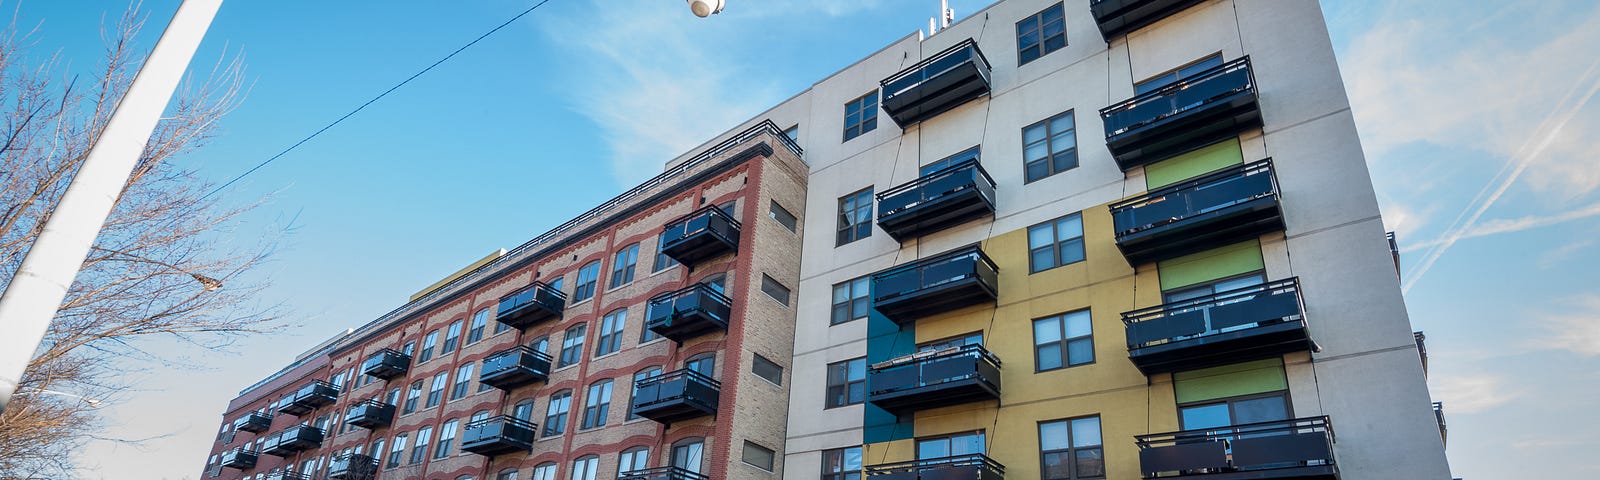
(161, 268)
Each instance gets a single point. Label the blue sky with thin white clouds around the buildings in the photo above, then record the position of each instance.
(1476, 118)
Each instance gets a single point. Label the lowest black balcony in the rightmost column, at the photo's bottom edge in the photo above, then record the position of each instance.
(1297, 449)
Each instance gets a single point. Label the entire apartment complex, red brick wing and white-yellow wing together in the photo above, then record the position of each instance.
(1111, 239)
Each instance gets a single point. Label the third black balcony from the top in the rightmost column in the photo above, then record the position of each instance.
(1218, 209)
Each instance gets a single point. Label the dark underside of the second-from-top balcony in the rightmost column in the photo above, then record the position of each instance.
(1188, 130)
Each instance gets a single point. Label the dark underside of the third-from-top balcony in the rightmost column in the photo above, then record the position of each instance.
(1206, 231)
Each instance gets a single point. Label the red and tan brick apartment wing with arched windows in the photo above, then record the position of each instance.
(649, 338)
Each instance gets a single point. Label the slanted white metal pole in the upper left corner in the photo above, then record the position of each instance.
(41, 284)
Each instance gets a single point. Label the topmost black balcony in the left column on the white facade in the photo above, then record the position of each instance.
(935, 86)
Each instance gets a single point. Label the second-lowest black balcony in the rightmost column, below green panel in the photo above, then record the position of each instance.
(1230, 327)
